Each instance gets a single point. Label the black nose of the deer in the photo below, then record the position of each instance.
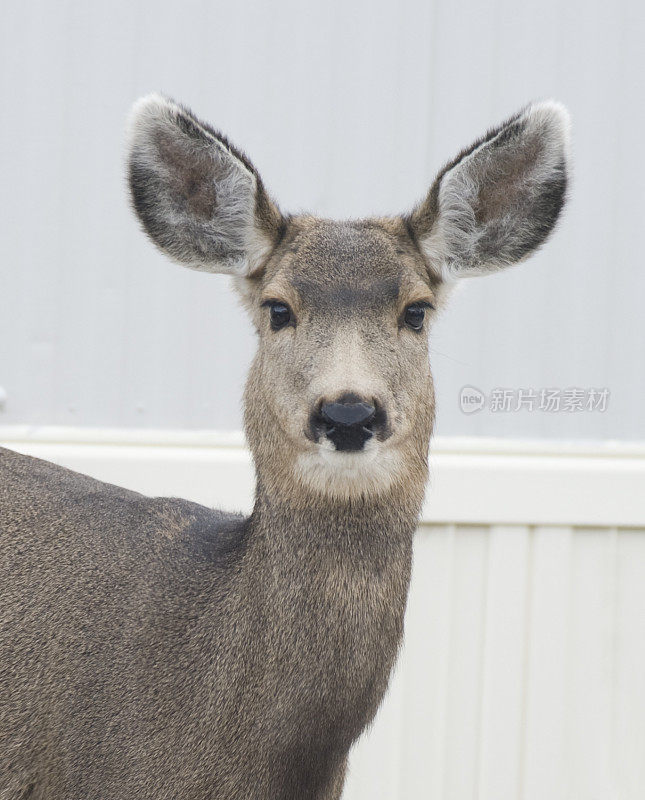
(348, 422)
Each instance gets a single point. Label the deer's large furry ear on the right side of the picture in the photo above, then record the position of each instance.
(498, 200)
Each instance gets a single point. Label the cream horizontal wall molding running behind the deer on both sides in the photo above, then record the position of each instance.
(472, 481)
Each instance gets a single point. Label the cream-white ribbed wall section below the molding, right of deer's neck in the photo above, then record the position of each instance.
(542, 695)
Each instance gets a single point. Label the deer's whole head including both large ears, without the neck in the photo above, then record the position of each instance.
(340, 399)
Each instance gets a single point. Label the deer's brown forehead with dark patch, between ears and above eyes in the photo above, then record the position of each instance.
(343, 266)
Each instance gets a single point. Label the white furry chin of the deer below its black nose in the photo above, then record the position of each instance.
(336, 473)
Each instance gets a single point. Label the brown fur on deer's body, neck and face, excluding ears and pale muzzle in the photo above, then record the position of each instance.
(159, 649)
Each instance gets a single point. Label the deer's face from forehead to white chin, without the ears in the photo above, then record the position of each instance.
(342, 371)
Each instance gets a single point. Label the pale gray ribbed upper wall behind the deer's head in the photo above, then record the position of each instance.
(347, 108)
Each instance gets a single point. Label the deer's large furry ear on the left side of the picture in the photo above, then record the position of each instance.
(199, 199)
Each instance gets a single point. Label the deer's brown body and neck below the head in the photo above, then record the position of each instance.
(182, 640)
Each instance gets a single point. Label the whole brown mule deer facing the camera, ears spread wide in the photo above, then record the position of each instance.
(154, 648)
